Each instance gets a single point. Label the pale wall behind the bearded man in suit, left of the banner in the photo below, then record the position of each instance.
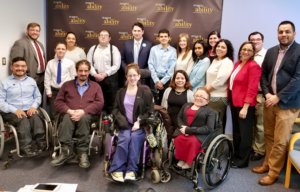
(14, 17)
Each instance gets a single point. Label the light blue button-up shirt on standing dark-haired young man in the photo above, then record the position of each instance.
(161, 63)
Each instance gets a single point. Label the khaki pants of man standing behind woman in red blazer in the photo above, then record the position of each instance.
(258, 145)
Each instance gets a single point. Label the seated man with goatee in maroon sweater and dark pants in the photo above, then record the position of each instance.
(79, 100)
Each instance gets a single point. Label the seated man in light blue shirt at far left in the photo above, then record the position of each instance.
(19, 100)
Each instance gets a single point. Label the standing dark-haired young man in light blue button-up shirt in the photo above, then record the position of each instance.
(161, 63)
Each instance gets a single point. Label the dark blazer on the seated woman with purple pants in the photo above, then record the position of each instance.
(143, 106)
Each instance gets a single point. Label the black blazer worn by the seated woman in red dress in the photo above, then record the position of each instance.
(203, 122)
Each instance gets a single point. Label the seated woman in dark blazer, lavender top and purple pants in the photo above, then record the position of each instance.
(132, 103)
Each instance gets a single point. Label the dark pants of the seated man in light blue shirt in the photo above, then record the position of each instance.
(28, 128)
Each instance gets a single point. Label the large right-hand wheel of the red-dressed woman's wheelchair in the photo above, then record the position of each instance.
(216, 162)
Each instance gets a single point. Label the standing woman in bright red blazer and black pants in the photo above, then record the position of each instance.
(243, 88)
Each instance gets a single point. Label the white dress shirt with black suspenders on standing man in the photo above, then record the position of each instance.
(102, 59)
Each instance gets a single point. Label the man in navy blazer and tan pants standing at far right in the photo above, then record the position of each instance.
(280, 83)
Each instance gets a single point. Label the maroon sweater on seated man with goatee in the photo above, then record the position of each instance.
(68, 98)
